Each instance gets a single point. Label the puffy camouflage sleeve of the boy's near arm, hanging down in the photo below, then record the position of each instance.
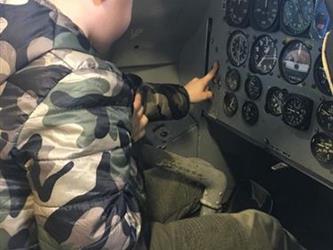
(82, 176)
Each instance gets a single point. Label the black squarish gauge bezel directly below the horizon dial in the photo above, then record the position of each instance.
(308, 105)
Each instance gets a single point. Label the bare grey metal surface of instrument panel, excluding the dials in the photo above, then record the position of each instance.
(289, 144)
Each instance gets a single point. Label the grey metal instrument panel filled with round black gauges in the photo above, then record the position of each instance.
(291, 144)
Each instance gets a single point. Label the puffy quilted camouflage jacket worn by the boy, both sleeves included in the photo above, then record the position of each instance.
(67, 178)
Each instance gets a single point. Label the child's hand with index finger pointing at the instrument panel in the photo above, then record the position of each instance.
(197, 89)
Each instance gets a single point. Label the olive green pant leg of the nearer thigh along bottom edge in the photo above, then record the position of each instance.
(248, 230)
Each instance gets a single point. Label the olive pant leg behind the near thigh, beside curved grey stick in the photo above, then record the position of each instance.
(170, 196)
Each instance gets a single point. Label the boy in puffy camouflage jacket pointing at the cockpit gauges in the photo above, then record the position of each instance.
(68, 180)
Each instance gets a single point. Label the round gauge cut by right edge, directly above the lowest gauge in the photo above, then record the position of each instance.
(325, 115)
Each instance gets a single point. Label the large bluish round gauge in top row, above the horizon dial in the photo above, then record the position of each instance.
(297, 16)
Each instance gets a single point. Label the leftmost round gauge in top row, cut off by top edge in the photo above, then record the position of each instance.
(237, 12)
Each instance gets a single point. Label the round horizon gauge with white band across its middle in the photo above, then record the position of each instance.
(295, 62)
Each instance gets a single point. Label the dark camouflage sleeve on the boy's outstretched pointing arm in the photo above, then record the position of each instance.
(161, 101)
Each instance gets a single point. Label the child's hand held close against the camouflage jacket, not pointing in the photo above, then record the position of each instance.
(139, 120)
